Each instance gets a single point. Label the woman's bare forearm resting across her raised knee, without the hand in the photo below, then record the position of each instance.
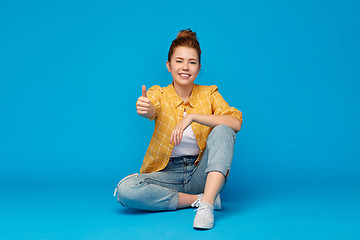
(214, 120)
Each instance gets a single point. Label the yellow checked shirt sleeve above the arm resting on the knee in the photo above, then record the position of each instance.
(220, 107)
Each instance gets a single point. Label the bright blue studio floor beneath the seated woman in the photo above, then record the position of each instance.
(254, 211)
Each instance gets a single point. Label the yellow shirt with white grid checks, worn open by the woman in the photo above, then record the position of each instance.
(169, 110)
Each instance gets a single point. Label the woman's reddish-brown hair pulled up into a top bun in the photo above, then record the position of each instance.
(185, 38)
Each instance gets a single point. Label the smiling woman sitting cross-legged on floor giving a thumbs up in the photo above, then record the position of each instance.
(190, 153)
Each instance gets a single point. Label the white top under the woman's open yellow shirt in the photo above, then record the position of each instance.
(188, 145)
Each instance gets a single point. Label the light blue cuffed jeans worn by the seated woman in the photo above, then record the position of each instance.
(159, 191)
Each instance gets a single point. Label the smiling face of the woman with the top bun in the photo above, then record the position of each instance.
(184, 66)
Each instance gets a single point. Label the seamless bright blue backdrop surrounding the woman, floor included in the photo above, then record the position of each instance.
(70, 74)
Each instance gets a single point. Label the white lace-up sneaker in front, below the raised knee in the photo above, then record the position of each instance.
(204, 218)
